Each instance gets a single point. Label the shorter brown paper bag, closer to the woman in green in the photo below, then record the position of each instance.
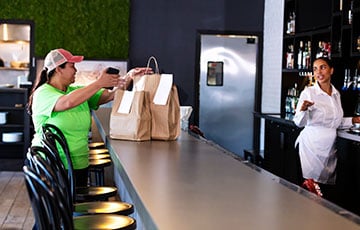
(135, 126)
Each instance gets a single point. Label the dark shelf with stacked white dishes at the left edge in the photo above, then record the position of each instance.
(15, 126)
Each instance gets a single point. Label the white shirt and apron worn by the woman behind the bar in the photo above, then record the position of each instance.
(317, 140)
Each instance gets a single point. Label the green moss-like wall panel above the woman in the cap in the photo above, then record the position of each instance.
(94, 28)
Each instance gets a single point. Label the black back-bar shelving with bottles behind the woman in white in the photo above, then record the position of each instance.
(337, 28)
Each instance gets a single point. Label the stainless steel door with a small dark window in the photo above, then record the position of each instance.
(227, 90)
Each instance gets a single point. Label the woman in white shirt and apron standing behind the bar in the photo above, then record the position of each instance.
(319, 111)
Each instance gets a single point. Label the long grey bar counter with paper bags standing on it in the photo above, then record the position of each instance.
(192, 183)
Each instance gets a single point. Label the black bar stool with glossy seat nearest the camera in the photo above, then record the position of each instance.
(52, 211)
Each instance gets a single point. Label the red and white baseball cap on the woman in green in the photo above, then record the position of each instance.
(59, 56)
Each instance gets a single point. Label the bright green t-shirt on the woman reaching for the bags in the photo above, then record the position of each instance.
(75, 123)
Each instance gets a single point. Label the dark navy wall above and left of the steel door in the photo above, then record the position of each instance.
(169, 30)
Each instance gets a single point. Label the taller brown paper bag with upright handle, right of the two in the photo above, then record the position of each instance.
(165, 119)
